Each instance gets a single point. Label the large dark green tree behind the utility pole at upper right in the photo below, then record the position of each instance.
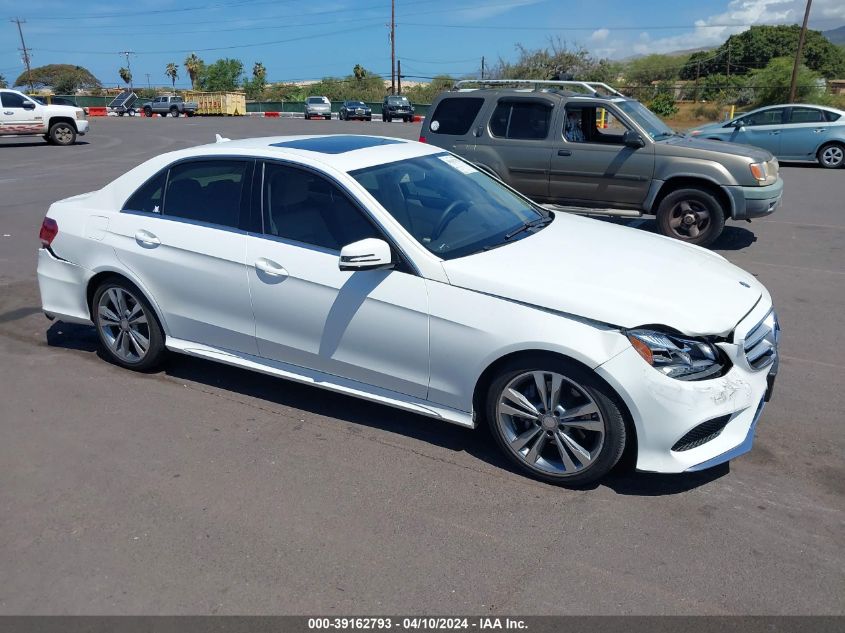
(753, 49)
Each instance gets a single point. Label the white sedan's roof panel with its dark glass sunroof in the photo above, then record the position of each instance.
(344, 152)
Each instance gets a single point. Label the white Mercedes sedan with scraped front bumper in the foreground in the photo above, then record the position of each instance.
(396, 272)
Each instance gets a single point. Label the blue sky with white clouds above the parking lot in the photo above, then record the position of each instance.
(296, 41)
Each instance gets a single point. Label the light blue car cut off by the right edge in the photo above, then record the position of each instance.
(799, 132)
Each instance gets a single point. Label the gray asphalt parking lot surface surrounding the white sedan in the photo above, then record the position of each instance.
(203, 489)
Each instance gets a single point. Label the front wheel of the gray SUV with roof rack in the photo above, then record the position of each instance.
(691, 215)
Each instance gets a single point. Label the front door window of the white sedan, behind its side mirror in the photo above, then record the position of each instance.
(302, 206)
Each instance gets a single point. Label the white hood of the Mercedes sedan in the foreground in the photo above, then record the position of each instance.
(614, 274)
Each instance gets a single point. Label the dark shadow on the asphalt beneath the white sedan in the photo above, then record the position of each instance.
(622, 480)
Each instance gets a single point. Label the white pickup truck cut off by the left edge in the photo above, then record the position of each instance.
(22, 116)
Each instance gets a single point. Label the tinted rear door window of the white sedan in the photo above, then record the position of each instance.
(206, 191)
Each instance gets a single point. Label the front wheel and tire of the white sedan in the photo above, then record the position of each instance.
(547, 448)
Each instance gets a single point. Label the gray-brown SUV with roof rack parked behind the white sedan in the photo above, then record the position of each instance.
(604, 154)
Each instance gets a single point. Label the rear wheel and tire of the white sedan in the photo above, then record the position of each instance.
(122, 341)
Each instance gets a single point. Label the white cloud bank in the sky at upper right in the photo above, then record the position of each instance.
(739, 16)
